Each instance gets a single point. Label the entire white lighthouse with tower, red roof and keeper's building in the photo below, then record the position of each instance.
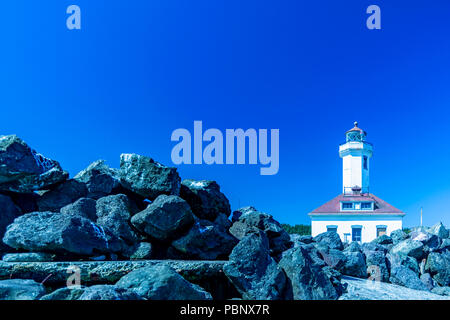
(356, 214)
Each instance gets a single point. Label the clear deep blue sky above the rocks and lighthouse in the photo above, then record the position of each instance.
(140, 69)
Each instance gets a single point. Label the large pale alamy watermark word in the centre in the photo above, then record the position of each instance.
(235, 151)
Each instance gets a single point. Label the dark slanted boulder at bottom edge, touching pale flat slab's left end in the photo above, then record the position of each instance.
(307, 280)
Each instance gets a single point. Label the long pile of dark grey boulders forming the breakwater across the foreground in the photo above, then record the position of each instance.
(139, 232)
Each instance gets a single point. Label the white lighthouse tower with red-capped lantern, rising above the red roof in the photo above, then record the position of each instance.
(355, 154)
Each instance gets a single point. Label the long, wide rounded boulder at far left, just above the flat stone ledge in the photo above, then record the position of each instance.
(56, 232)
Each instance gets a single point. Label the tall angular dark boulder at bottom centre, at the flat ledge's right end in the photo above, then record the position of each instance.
(252, 270)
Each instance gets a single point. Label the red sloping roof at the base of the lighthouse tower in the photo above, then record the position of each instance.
(333, 206)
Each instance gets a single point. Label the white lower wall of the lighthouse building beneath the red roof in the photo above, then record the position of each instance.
(344, 223)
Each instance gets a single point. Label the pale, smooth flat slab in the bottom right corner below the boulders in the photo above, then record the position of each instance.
(361, 289)
